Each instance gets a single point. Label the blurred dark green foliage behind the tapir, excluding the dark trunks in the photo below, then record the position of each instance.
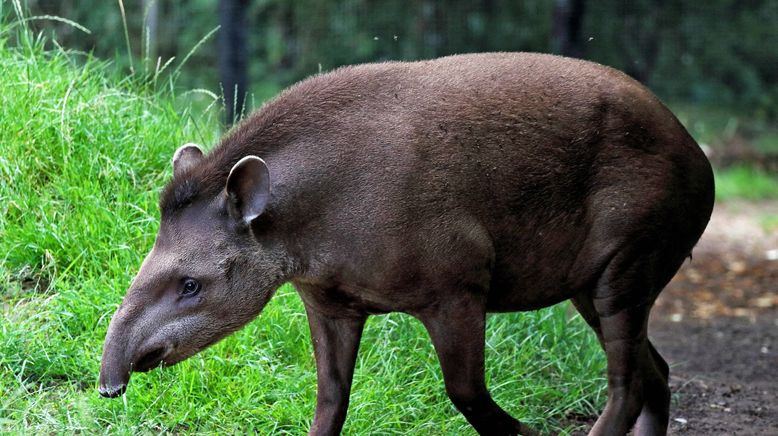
(718, 52)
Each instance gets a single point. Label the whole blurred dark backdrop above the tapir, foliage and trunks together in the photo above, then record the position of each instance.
(714, 62)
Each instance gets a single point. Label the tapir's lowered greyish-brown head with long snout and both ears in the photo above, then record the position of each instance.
(206, 276)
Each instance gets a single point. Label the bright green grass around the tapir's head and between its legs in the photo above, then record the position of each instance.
(84, 152)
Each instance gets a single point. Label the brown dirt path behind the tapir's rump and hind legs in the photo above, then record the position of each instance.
(717, 325)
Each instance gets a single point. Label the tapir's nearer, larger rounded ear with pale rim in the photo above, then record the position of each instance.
(248, 189)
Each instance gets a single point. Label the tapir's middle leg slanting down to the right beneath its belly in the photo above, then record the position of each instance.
(456, 328)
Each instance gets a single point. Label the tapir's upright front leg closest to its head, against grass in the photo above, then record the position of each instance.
(335, 345)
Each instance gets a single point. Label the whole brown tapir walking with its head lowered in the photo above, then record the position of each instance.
(444, 189)
